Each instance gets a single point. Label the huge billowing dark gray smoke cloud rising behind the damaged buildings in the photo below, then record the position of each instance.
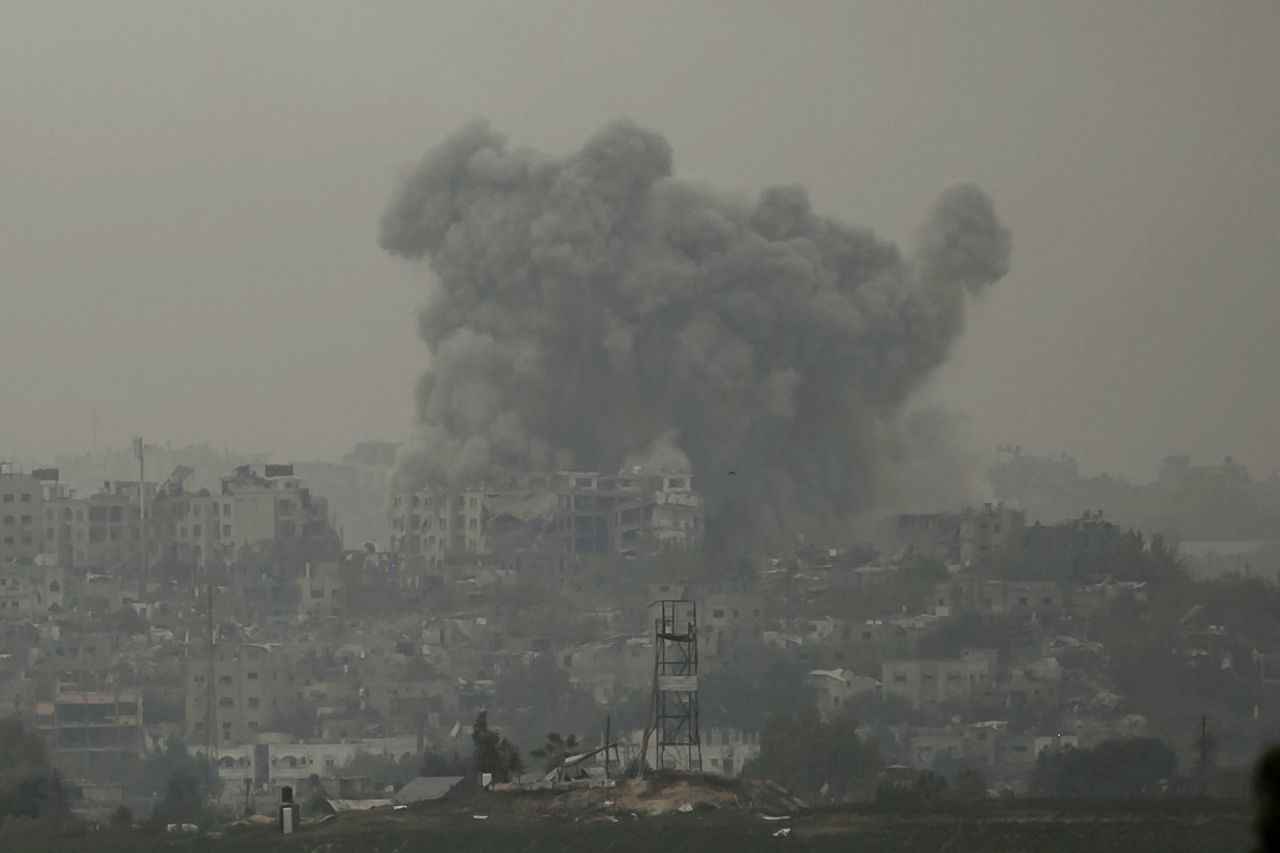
(596, 312)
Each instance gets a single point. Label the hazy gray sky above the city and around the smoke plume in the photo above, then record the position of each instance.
(190, 197)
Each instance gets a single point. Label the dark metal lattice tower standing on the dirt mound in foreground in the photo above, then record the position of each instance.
(675, 719)
